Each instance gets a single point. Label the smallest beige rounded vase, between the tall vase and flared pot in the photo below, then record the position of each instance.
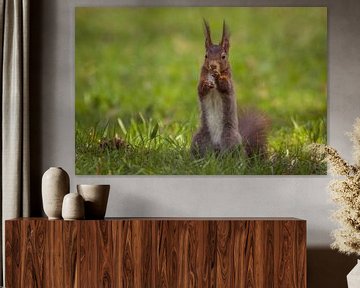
(73, 207)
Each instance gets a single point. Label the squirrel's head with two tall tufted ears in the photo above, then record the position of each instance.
(216, 56)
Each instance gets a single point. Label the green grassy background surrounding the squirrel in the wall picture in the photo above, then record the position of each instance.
(133, 61)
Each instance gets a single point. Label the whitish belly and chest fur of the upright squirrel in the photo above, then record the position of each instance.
(214, 114)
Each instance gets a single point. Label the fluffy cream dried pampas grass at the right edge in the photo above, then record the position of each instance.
(345, 192)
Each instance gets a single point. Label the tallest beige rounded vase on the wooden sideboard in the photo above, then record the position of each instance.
(55, 185)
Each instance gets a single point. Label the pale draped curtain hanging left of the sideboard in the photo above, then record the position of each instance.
(15, 172)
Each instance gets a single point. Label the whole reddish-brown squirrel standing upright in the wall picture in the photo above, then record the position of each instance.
(222, 128)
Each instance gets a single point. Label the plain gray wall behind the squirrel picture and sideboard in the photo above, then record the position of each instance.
(53, 118)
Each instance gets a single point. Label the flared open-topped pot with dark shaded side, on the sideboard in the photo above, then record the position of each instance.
(95, 197)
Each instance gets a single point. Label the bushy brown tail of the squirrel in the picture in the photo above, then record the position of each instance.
(254, 127)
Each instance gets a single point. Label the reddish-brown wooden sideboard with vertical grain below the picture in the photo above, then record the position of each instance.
(156, 252)
